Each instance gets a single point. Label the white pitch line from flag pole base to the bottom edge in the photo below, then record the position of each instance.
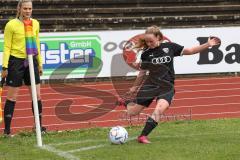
(60, 153)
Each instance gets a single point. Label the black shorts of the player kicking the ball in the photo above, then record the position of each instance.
(149, 91)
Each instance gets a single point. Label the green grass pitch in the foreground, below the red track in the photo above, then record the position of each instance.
(181, 140)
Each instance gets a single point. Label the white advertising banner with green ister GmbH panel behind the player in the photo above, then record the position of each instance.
(99, 53)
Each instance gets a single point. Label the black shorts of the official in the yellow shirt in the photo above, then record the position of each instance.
(19, 72)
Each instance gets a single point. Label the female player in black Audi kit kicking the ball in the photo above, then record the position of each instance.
(157, 60)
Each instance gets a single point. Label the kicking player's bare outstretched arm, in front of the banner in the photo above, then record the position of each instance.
(212, 41)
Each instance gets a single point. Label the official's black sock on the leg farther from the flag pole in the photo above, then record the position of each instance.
(8, 114)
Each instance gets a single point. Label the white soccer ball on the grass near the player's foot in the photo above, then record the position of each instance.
(118, 135)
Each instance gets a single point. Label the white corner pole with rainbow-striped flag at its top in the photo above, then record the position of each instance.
(31, 49)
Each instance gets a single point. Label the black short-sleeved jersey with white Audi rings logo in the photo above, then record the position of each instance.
(159, 61)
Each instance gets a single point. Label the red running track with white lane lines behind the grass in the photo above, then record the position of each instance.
(85, 105)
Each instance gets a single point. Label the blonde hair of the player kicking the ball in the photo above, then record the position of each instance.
(155, 30)
